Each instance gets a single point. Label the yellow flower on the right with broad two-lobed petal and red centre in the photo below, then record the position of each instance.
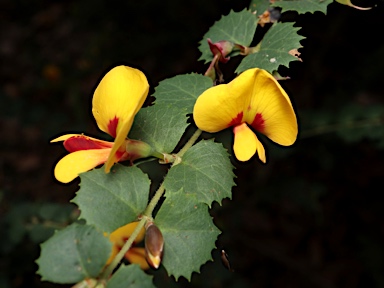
(253, 101)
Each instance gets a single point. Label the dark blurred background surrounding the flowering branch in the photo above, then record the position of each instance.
(311, 217)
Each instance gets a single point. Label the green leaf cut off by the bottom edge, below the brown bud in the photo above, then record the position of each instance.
(130, 276)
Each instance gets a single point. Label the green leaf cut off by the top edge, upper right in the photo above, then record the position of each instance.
(303, 6)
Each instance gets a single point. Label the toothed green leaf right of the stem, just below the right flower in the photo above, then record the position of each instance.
(204, 171)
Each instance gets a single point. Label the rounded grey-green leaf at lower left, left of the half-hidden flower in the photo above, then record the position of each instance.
(73, 254)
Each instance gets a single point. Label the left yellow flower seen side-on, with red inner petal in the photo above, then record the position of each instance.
(116, 101)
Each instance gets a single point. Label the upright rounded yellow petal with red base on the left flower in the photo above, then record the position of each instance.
(118, 97)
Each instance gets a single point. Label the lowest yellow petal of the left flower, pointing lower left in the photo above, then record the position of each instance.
(69, 167)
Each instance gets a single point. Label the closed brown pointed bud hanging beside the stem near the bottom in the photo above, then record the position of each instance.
(154, 244)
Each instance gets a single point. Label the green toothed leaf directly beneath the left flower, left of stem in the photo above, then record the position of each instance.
(112, 200)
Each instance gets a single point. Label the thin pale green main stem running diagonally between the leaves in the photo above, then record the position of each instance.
(147, 213)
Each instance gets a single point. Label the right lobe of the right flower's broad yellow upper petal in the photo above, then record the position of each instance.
(270, 110)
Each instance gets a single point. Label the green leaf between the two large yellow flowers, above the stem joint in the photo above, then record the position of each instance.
(163, 124)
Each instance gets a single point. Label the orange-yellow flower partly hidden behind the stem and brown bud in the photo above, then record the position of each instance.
(135, 255)
